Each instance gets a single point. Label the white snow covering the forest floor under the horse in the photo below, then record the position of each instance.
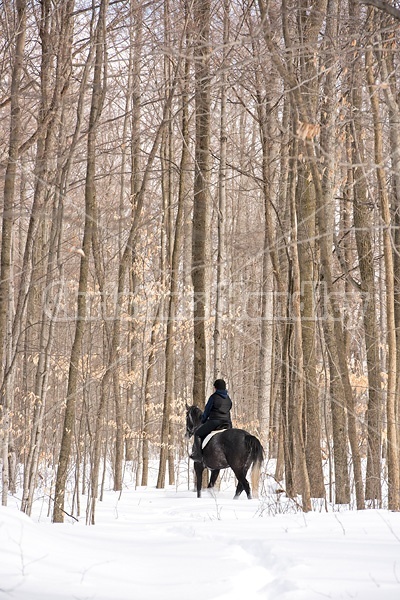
(151, 544)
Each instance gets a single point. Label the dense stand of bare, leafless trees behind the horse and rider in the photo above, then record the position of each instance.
(194, 189)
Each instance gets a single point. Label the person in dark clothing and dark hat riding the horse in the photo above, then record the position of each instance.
(216, 416)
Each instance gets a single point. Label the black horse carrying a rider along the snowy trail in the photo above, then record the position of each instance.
(234, 448)
